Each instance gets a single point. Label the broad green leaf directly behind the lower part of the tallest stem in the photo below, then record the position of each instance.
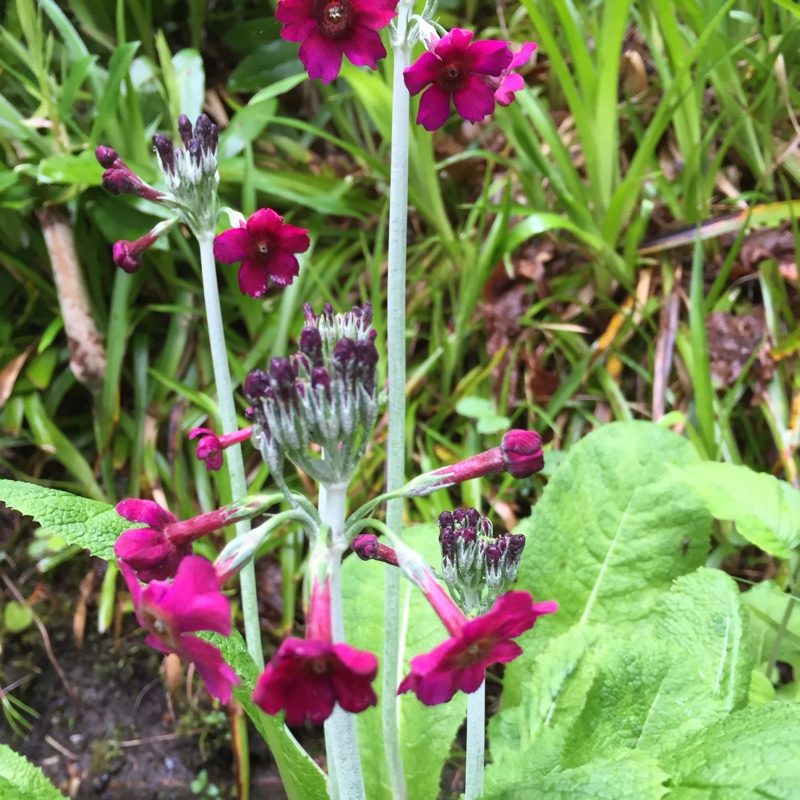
(426, 734)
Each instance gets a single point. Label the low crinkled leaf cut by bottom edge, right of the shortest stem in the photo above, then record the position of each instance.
(636, 776)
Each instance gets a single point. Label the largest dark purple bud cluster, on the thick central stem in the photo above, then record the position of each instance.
(326, 394)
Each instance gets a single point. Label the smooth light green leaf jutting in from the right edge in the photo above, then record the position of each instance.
(766, 511)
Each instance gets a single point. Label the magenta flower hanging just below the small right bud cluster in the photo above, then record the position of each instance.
(474, 645)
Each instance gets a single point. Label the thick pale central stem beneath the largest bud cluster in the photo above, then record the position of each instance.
(341, 740)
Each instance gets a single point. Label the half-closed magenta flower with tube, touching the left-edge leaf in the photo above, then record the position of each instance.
(155, 552)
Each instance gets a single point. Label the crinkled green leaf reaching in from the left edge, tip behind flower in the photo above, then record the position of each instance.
(87, 523)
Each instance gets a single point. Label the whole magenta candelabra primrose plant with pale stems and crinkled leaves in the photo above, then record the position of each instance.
(638, 659)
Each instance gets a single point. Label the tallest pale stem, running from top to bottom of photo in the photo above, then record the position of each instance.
(396, 352)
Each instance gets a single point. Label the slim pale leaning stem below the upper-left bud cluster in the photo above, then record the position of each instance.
(227, 412)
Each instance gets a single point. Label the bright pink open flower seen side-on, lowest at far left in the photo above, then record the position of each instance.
(190, 603)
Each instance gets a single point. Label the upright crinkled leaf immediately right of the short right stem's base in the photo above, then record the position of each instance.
(526, 740)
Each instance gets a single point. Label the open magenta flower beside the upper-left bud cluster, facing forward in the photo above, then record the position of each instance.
(266, 248)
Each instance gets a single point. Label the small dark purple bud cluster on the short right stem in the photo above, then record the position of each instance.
(476, 565)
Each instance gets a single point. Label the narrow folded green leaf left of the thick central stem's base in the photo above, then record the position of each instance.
(302, 778)
